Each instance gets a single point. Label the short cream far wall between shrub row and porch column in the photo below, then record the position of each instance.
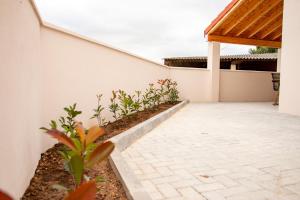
(193, 84)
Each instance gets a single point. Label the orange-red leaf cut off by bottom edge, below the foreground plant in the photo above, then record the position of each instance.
(86, 191)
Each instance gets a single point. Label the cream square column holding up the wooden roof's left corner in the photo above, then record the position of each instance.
(213, 64)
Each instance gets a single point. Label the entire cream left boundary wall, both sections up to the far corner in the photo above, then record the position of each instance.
(41, 71)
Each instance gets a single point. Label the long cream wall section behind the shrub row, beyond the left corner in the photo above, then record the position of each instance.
(75, 70)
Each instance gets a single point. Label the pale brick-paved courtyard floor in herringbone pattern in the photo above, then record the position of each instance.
(232, 151)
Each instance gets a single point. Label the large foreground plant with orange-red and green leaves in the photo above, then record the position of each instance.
(82, 152)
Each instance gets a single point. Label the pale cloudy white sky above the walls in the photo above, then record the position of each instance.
(153, 29)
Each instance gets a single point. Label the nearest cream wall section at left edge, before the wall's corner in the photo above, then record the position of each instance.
(20, 92)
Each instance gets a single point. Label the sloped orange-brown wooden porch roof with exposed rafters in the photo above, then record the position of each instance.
(249, 22)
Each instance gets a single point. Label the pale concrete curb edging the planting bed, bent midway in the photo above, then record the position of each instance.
(133, 187)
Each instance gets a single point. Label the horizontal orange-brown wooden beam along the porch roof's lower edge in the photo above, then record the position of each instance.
(245, 41)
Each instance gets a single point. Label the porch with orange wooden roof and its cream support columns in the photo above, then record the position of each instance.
(246, 22)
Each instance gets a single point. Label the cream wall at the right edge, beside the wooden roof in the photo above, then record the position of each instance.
(289, 101)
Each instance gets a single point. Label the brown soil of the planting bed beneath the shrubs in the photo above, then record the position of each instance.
(50, 169)
